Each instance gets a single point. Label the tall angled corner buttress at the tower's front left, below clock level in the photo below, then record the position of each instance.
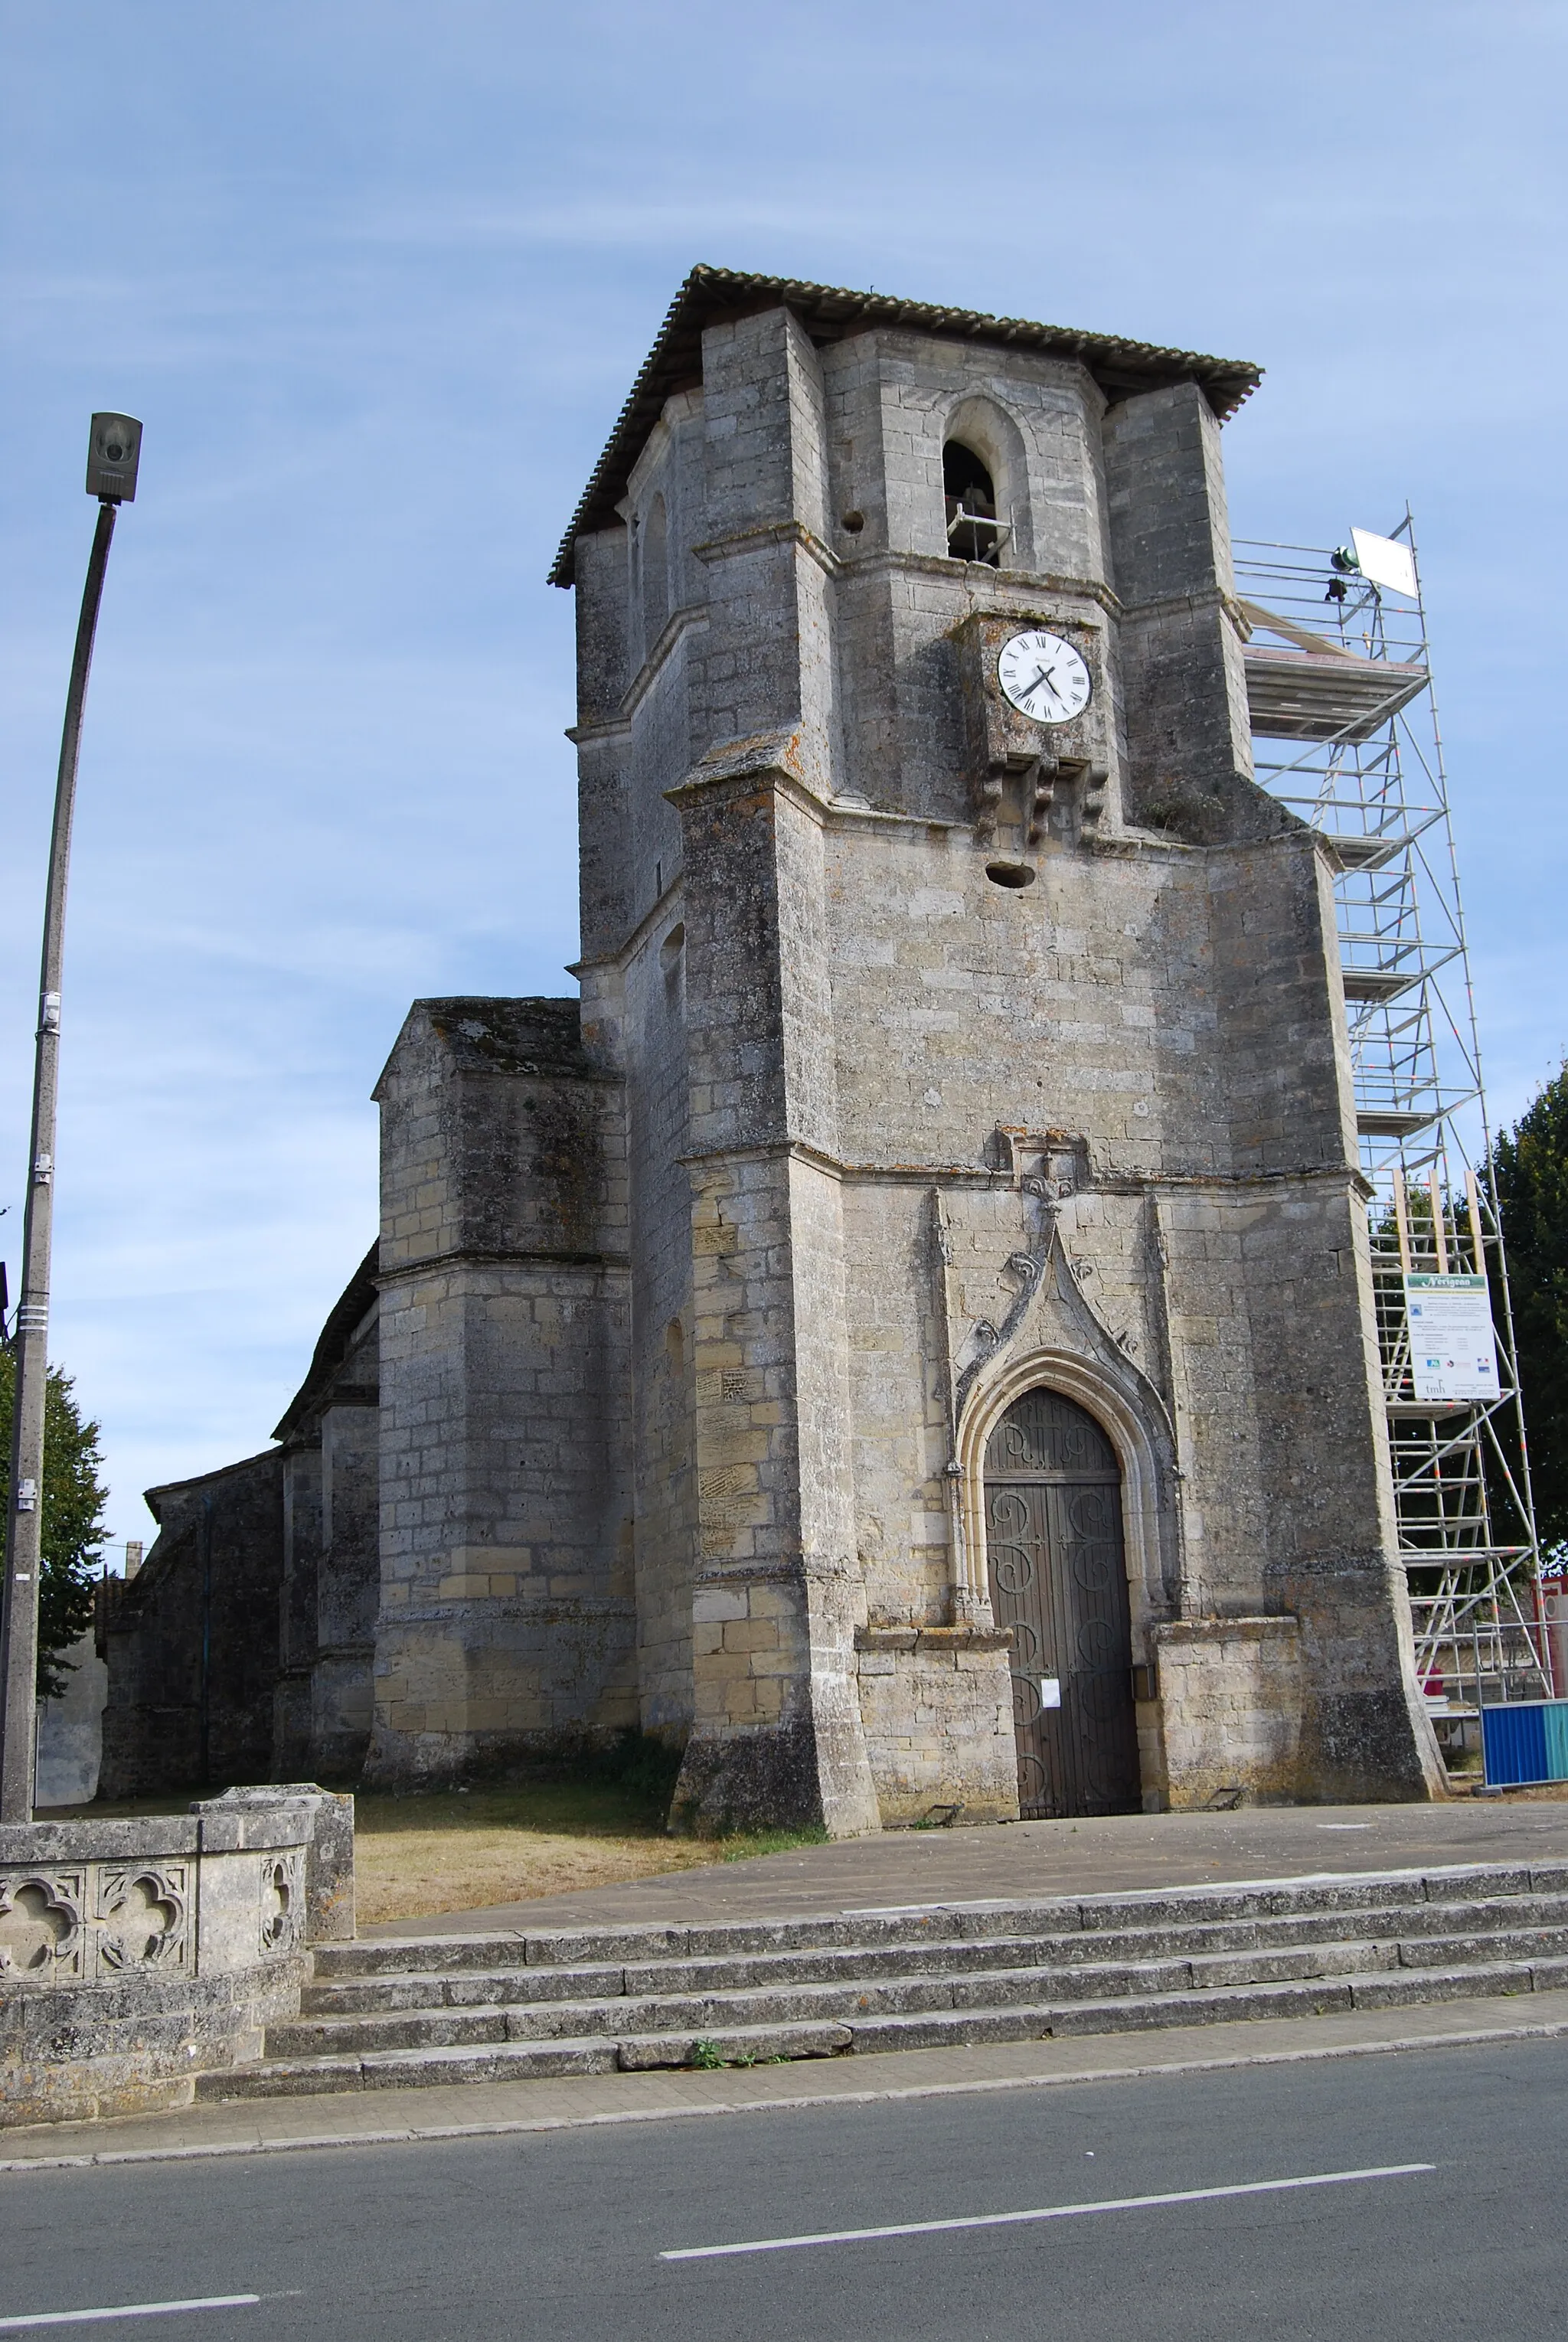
(777, 1727)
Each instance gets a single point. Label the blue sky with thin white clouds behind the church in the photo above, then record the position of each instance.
(379, 278)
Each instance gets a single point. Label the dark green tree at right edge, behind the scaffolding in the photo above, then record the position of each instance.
(1529, 1177)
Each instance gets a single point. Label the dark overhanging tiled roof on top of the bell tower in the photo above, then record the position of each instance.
(676, 362)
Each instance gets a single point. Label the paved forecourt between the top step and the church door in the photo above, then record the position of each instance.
(1122, 1856)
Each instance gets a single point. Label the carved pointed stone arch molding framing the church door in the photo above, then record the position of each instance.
(1122, 1399)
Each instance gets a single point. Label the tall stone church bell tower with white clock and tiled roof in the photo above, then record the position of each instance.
(1004, 1376)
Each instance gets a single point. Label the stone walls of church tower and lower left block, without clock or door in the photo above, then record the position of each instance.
(927, 1057)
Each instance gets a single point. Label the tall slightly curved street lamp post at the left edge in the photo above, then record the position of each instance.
(111, 477)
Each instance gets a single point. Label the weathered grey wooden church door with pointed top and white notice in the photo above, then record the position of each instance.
(1058, 1573)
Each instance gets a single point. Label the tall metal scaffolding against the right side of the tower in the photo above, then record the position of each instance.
(1347, 734)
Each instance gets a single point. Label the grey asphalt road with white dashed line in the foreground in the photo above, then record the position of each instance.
(564, 2235)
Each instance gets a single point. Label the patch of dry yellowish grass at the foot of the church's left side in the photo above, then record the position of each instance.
(468, 1849)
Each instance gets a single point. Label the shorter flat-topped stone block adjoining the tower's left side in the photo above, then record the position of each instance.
(507, 1559)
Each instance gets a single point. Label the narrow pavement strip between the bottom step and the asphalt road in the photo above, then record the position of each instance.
(496, 2109)
